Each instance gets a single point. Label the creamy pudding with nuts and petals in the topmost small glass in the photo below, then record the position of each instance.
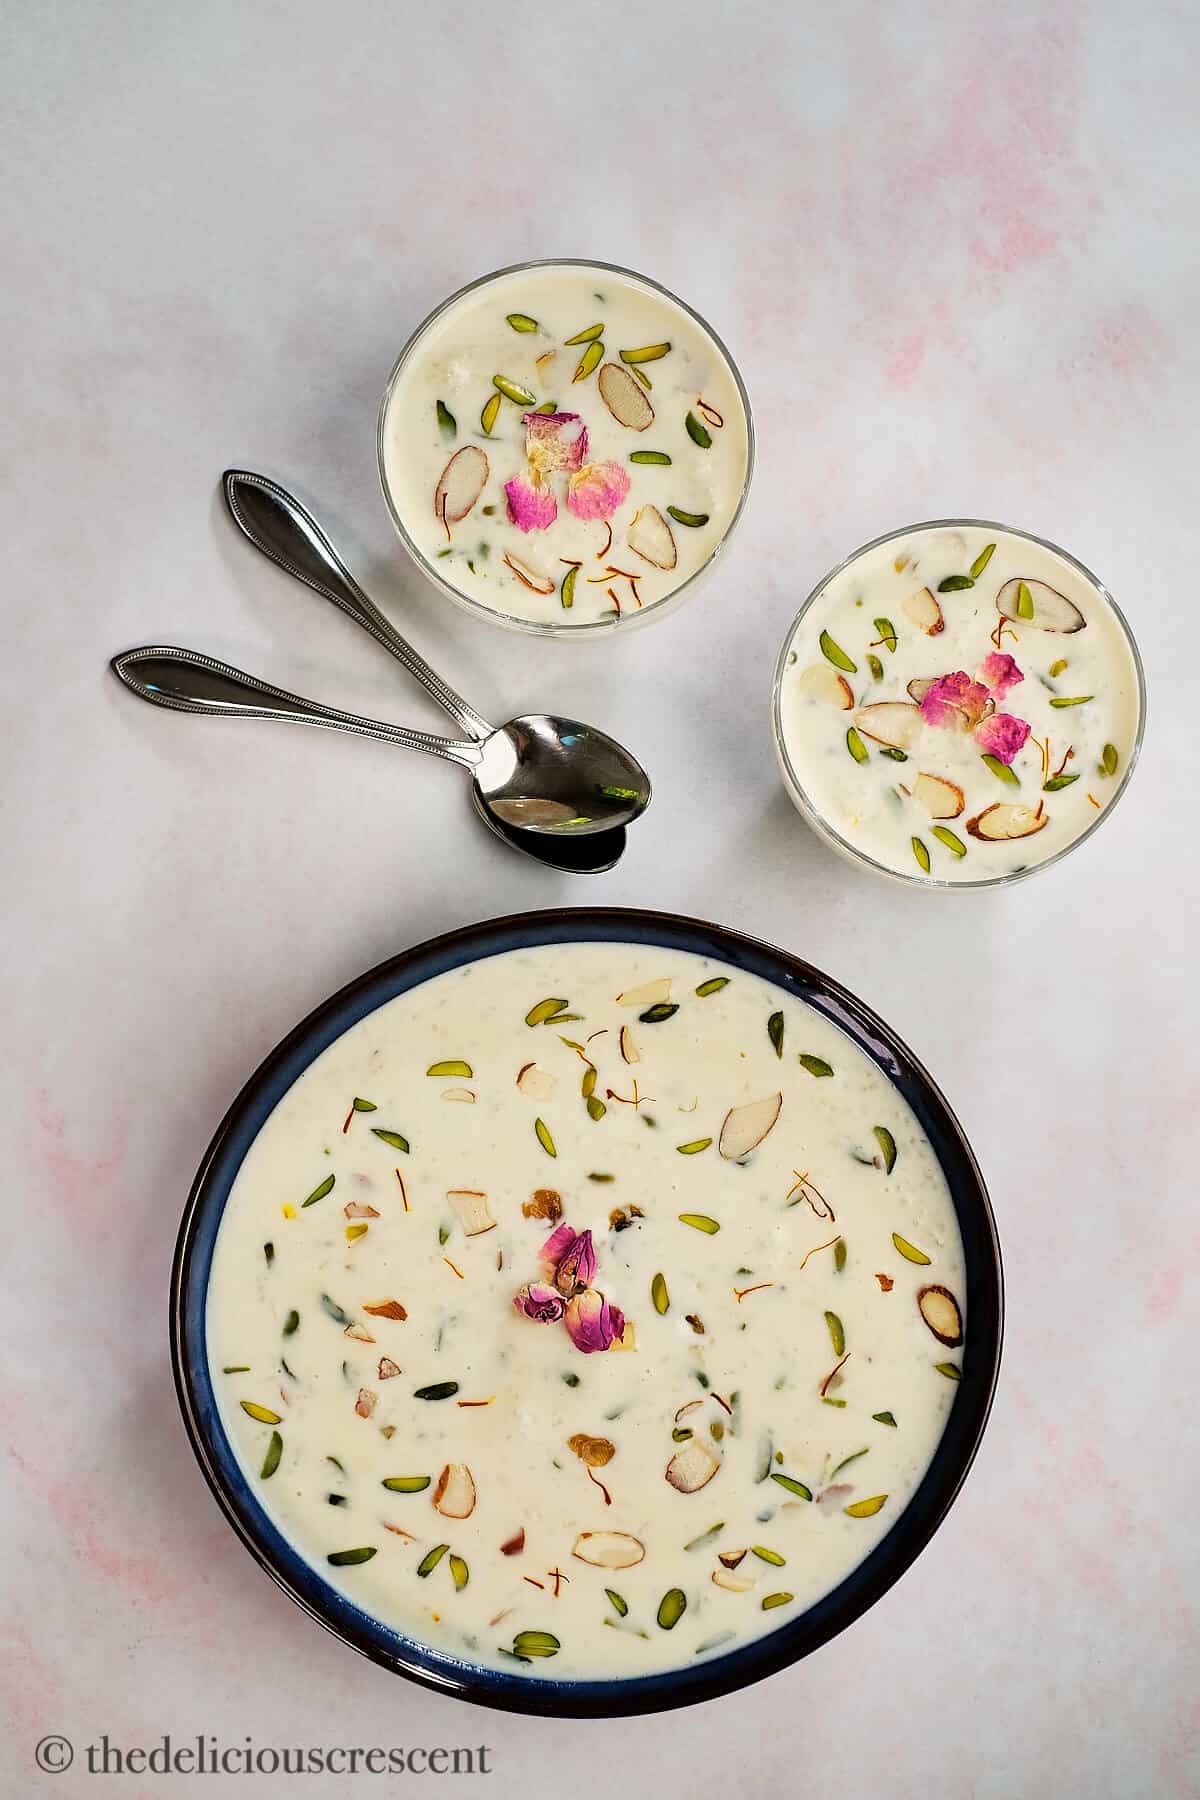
(564, 445)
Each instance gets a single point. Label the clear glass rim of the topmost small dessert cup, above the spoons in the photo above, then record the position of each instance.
(593, 629)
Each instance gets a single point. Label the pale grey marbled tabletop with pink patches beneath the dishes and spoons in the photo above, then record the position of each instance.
(954, 255)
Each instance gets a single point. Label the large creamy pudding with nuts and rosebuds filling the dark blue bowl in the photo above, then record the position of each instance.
(587, 1311)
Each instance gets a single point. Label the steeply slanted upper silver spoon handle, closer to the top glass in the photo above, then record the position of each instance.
(287, 532)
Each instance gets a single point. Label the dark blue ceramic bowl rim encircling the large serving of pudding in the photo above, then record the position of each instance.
(719, 1675)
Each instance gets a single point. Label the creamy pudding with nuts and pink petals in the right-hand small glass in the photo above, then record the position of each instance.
(958, 705)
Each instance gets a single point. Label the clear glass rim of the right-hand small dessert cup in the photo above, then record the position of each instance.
(798, 793)
